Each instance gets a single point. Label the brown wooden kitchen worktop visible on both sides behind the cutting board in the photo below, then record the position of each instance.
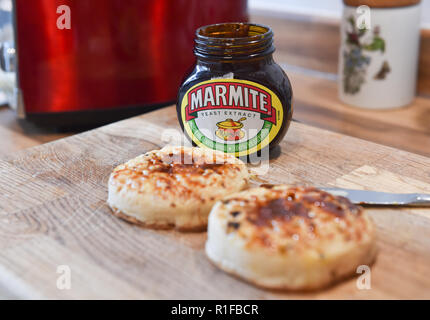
(315, 103)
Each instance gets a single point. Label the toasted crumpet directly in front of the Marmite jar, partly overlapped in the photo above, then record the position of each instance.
(174, 187)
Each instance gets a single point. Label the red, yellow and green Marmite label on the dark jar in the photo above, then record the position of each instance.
(238, 117)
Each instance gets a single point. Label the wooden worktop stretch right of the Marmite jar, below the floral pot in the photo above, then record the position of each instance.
(316, 103)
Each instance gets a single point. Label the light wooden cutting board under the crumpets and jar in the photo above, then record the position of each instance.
(53, 214)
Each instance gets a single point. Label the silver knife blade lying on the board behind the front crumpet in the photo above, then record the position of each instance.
(376, 198)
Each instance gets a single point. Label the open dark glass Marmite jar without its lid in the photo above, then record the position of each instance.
(236, 98)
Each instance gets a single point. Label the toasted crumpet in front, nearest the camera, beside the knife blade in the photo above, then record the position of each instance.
(292, 238)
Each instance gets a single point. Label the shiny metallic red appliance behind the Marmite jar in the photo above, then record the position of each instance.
(119, 58)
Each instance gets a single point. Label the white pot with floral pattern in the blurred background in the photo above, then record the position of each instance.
(379, 53)
